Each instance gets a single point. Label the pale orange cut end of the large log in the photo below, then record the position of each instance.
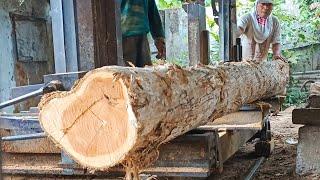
(94, 122)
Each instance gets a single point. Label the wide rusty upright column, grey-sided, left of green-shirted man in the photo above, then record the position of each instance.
(99, 33)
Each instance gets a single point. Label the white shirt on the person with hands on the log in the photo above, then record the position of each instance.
(248, 43)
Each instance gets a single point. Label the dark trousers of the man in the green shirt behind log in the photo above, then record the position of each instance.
(136, 50)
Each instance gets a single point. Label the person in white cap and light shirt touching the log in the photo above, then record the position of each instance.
(259, 30)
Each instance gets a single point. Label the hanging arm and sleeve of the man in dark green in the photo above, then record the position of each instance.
(156, 28)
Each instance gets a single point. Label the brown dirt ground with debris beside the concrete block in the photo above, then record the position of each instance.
(280, 165)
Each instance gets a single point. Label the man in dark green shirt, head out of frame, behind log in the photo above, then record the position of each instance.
(138, 18)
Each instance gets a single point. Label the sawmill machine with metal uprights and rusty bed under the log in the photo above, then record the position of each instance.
(205, 149)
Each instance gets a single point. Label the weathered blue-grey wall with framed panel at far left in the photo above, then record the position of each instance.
(25, 44)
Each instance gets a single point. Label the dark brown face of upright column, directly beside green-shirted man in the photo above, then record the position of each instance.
(108, 37)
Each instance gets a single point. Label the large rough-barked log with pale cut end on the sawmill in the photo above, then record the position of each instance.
(122, 114)
